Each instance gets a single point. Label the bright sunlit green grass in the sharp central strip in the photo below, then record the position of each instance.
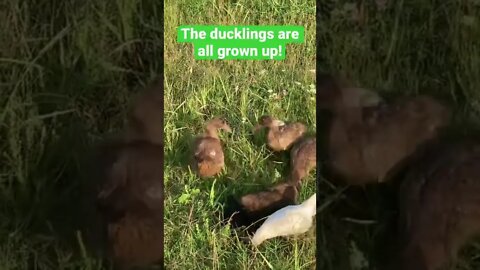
(239, 91)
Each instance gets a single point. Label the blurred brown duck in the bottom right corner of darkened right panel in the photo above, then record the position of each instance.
(439, 206)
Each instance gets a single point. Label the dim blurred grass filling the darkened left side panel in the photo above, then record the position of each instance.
(68, 70)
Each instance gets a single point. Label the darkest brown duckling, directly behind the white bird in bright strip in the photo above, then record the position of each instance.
(251, 208)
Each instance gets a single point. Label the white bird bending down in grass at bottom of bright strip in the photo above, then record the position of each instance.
(290, 220)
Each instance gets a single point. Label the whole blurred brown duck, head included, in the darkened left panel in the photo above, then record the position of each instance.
(130, 200)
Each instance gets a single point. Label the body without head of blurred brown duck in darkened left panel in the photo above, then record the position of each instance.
(131, 202)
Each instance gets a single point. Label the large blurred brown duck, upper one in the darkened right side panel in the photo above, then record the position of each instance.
(366, 144)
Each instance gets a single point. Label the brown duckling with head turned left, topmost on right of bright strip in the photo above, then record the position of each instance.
(280, 135)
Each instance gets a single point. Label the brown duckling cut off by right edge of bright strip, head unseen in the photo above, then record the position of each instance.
(303, 158)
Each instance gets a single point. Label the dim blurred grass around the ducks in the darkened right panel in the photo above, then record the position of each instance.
(406, 48)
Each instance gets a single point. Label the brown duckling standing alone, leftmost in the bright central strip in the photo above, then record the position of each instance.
(208, 152)
